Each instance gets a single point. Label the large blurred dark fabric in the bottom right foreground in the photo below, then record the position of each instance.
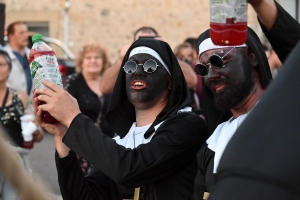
(266, 165)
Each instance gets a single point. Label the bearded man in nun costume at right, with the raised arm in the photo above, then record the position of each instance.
(235, 78)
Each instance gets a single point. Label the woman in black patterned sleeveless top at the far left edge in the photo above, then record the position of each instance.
(12, 105)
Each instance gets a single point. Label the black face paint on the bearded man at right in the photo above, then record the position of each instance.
(238, 77)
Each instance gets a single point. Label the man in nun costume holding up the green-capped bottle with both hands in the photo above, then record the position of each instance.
(158, 135)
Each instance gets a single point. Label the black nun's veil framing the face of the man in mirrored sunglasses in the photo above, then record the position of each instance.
(121, 113)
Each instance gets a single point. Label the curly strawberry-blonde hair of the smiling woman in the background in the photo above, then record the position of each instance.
(91, 47)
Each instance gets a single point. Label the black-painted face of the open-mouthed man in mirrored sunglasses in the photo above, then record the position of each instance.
(146, 88)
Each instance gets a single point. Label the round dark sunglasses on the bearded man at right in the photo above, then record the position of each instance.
(215, 60)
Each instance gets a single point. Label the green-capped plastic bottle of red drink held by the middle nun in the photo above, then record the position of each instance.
(43, 65)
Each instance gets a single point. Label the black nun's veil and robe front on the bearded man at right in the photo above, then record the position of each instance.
(204, 181)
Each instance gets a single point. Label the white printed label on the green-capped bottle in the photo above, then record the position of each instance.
(45, 67)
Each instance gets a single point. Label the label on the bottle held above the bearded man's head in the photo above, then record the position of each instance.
(228, 11)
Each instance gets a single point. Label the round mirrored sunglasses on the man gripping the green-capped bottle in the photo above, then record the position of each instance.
(149, 66)
